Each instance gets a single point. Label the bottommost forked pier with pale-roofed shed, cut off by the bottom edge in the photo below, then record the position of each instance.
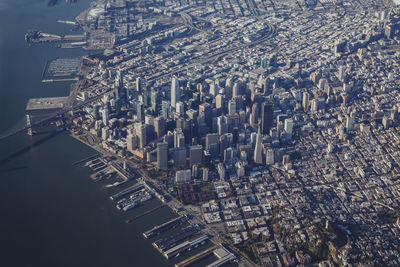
(223, 255)
